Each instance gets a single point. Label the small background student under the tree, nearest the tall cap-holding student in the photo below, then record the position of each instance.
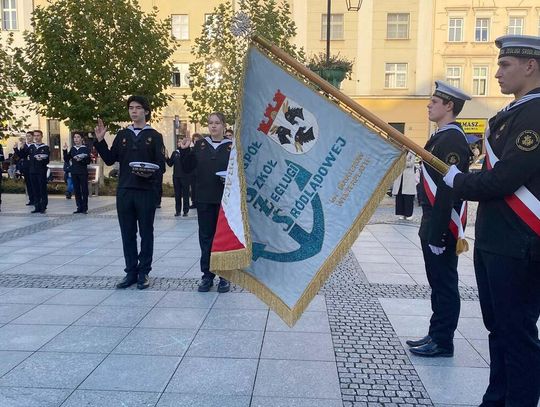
(79, 171)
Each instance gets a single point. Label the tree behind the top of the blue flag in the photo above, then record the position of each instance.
(215, 76)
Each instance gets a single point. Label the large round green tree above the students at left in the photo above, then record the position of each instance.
(85, 57)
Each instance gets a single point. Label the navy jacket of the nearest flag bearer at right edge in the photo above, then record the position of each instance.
(515, 138)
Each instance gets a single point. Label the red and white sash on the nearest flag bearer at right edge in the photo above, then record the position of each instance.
(522, 202)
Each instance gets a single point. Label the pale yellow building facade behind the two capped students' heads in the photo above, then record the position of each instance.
(483, 22)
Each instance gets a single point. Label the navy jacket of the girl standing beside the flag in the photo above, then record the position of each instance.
(207, 160)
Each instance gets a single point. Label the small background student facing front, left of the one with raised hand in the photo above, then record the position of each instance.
(39, 158)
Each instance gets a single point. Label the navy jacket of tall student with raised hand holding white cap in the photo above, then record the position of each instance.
(127, 147)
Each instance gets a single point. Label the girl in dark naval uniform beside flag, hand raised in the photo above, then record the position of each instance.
(208, 156)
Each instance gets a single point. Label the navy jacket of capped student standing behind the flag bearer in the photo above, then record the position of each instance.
(451, 147)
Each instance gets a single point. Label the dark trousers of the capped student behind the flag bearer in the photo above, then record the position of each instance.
(442, 276)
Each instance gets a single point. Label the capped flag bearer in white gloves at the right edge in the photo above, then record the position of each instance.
(507, 244)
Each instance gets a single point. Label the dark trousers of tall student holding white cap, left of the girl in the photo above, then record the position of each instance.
(136, 208)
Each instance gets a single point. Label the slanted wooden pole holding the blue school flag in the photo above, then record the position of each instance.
(394, 134)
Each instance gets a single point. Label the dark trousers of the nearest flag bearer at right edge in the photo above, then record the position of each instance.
(509, 291)
